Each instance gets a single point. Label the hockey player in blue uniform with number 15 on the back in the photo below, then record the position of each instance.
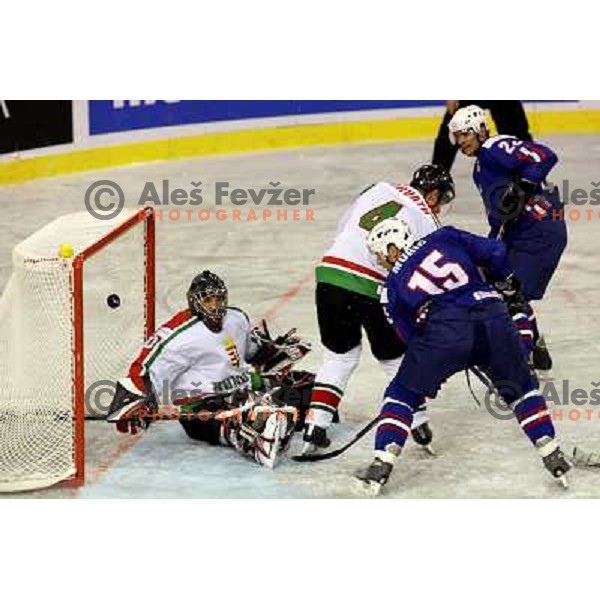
(451, 319)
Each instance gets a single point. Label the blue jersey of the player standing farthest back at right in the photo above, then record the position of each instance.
(503, 159)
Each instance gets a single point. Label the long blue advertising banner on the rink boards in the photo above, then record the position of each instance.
(110, 116)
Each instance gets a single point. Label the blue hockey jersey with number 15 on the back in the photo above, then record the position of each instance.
(443, 268)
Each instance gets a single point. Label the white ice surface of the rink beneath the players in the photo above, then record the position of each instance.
(479, 456)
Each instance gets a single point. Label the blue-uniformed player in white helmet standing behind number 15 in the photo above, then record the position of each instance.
(522, 209)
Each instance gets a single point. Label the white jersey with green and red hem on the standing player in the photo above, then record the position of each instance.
(348, 263)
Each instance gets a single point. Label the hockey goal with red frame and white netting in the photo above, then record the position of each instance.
(69, 326)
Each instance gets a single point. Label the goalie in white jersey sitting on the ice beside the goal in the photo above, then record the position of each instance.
(200, 363)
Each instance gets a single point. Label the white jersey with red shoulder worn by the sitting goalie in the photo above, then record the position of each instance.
(184, 357)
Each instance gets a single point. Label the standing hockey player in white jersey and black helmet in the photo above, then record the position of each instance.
(347, 294)
